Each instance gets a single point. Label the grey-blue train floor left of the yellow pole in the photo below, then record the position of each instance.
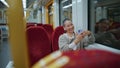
(5, 55)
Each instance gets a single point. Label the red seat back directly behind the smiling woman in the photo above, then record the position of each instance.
(55, 36)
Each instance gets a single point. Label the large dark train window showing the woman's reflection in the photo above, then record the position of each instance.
(105, 16)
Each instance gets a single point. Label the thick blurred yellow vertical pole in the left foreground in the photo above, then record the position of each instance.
(16, 24)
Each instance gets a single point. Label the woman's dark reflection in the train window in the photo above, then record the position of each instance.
(105, 36)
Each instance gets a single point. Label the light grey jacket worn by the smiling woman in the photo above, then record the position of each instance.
(64, 41)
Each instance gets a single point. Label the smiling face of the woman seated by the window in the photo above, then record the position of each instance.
(68, 26)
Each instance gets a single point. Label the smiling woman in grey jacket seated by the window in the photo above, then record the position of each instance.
(74, 41)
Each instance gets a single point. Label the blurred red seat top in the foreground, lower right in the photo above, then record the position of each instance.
(92, 59)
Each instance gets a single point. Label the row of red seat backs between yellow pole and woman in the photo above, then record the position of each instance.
(42, 40)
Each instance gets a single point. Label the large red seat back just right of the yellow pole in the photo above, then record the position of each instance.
(38, 43)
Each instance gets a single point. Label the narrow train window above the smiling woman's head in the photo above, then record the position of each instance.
(66, 9)
